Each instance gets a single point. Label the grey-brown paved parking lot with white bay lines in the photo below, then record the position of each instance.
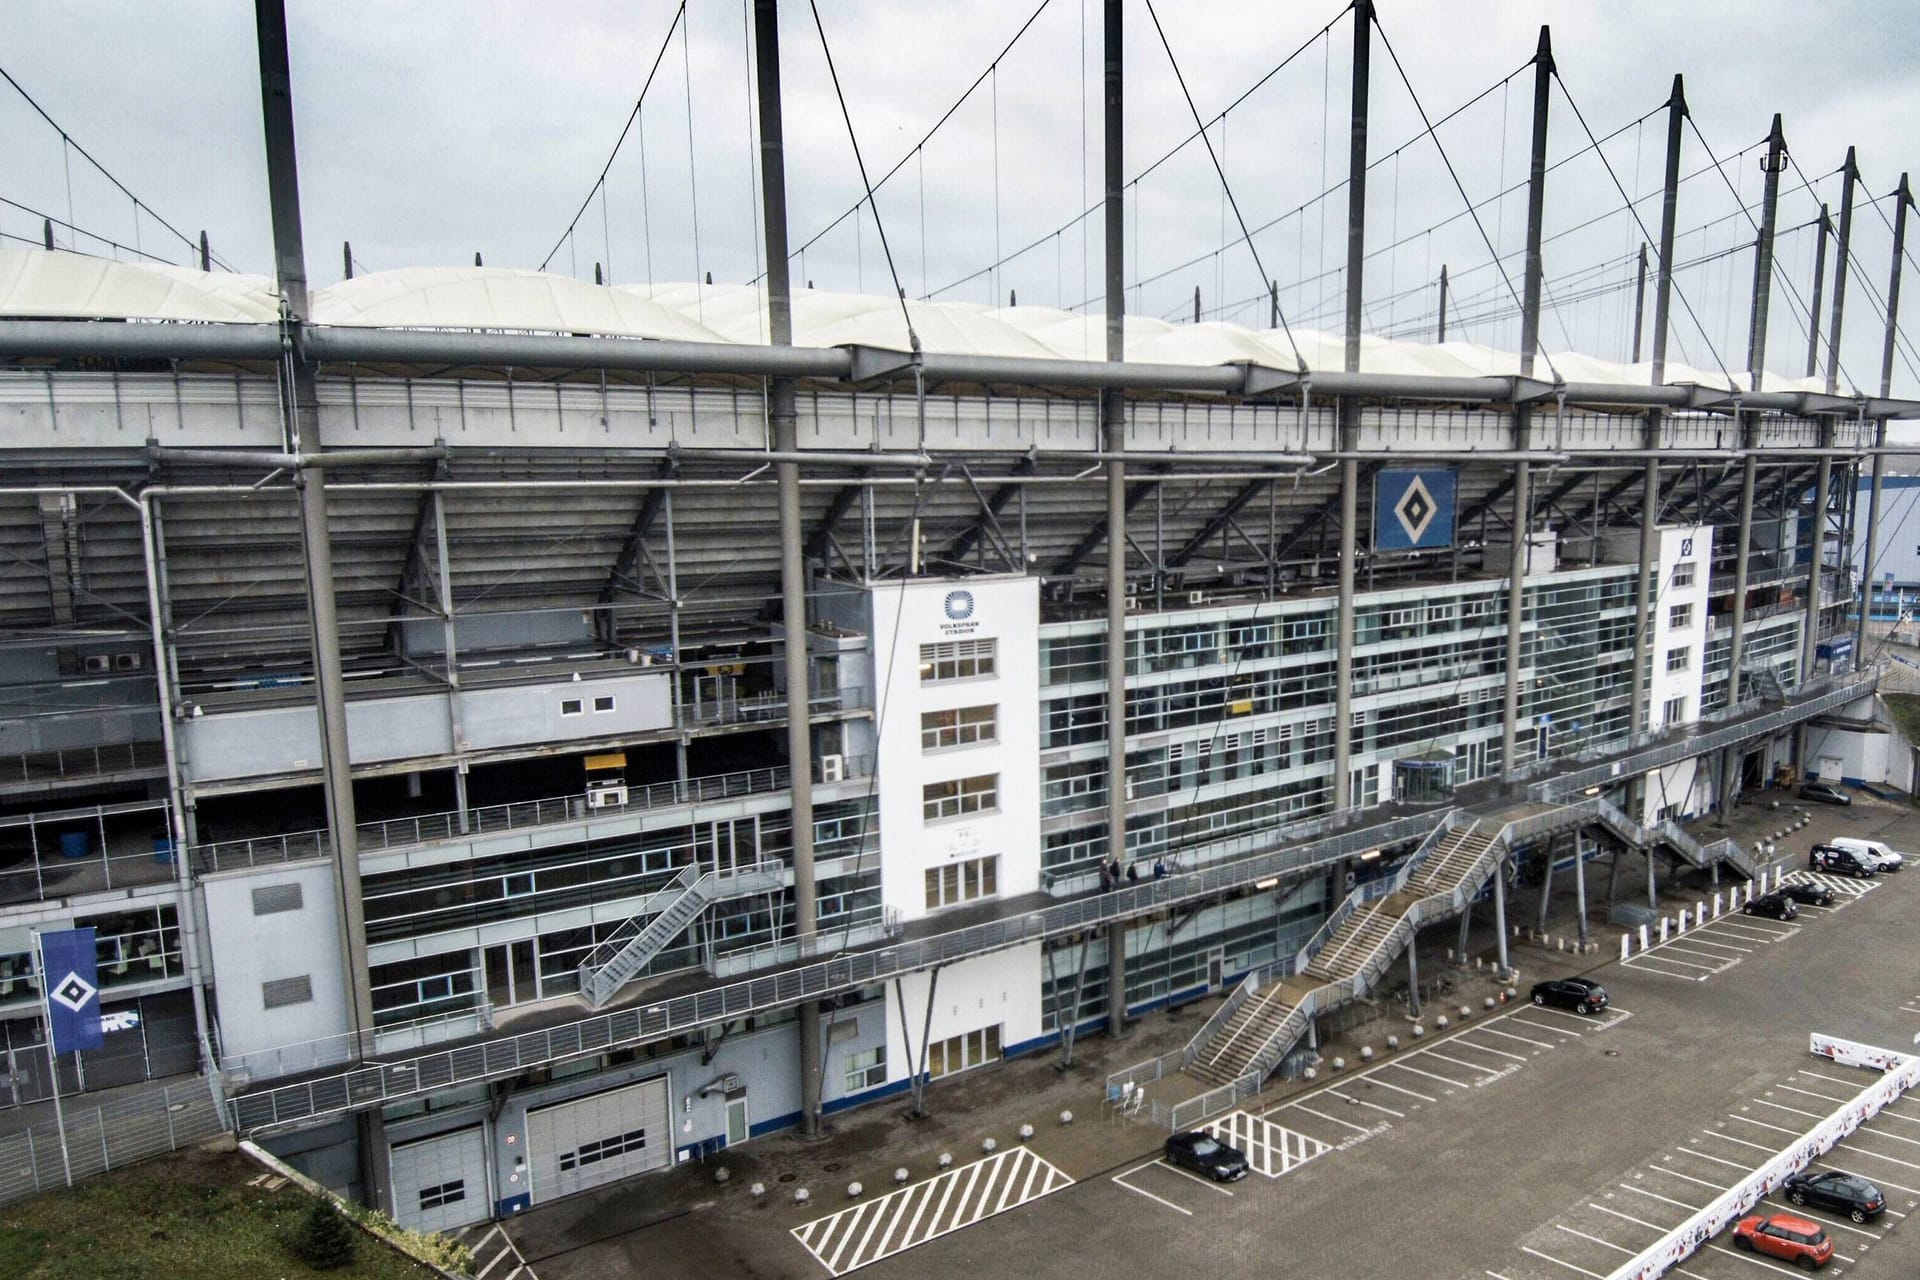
(1535, 1143)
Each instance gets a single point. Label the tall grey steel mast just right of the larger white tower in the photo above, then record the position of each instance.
(1115, 439)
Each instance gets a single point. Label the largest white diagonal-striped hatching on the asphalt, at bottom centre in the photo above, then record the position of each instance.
(900, 1221)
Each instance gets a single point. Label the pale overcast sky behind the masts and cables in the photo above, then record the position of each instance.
(435, 130)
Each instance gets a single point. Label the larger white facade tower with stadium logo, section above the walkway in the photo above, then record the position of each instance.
(928, 613)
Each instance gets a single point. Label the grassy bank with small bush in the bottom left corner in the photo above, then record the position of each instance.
(181, 1218)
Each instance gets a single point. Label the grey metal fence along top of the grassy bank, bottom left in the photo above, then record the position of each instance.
(107, 1137)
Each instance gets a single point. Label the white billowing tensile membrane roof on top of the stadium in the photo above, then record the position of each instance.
(59, 285)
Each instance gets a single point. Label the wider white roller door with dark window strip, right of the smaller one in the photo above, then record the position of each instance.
(602, 1139)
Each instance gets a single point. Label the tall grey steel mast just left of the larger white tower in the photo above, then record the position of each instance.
(784, 421)
